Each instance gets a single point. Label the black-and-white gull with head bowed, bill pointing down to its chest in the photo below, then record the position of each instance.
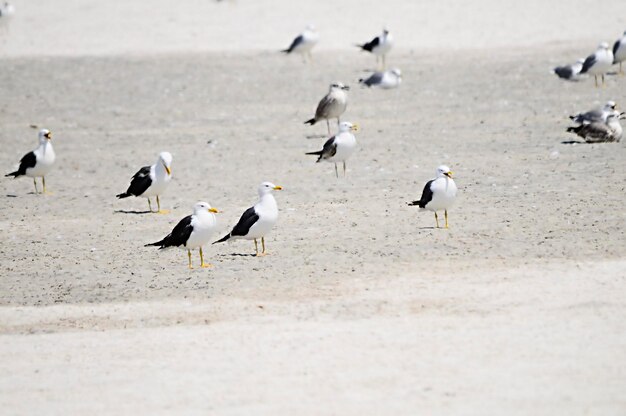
(151, 180)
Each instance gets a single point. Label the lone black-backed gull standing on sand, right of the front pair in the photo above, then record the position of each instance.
(438, 194)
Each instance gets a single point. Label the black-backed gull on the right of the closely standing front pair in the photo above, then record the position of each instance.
(258, 220)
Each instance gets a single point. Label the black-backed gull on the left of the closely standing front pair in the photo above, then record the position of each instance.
(193, 231)
